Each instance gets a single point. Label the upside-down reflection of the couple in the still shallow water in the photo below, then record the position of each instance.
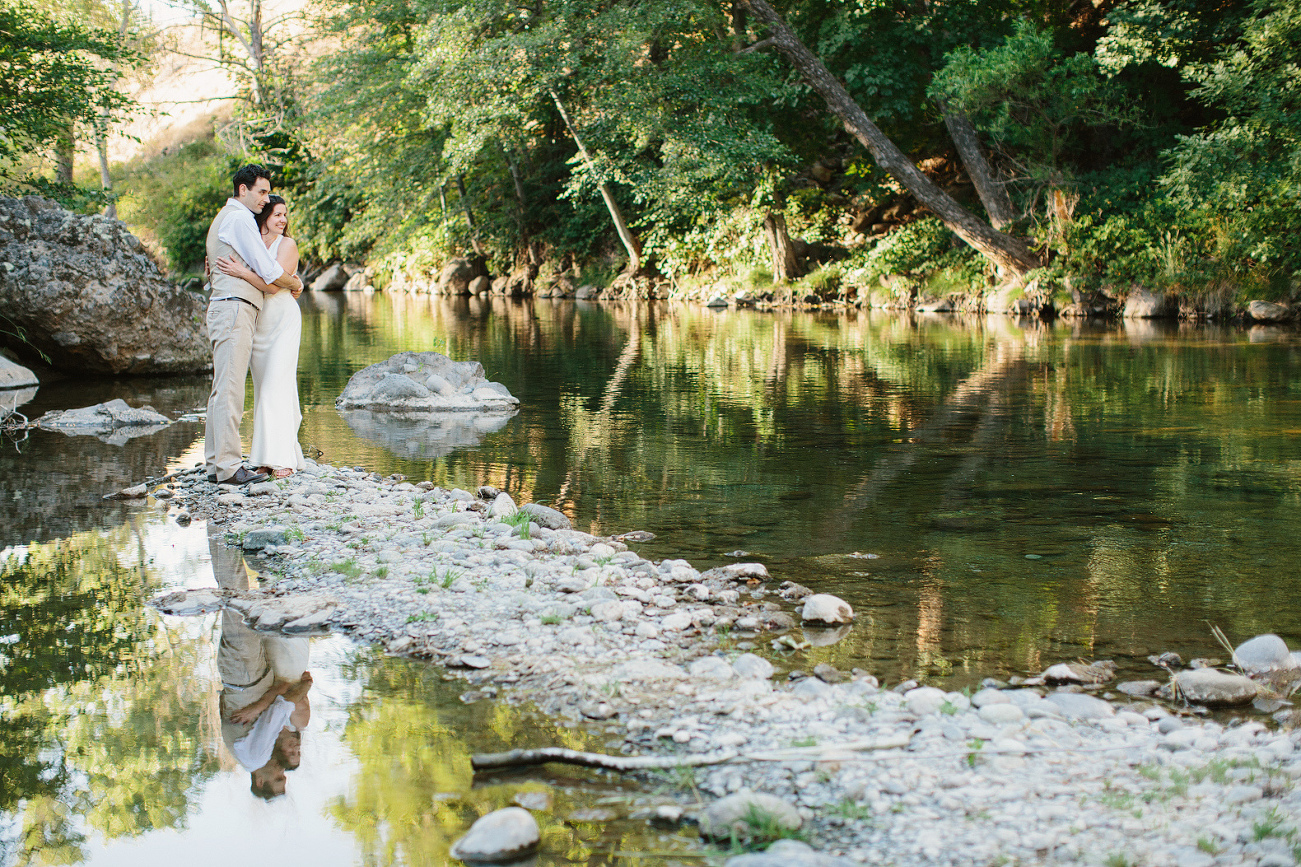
(265, 685)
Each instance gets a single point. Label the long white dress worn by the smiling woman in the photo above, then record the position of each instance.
(276, 415)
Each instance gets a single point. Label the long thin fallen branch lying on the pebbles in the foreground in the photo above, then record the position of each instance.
(530, 758)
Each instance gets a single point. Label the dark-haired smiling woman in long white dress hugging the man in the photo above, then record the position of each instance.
(276, 415)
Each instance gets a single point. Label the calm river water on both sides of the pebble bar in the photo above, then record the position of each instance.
(991, 498)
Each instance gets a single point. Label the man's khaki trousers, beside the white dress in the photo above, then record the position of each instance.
(231, 326)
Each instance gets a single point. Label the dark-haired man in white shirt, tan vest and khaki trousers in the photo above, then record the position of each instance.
(234, 309)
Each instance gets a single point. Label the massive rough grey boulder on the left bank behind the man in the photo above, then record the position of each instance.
(84, 291)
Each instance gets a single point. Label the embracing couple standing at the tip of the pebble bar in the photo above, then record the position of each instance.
(254, 323)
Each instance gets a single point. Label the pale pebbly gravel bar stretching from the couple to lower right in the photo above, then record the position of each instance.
(662, 657)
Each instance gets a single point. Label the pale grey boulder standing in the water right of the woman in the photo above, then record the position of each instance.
(426, 383)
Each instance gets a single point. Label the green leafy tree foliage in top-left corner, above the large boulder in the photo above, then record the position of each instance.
(54, 76)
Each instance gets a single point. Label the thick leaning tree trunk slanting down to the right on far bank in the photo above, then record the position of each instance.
(1008, 253)
